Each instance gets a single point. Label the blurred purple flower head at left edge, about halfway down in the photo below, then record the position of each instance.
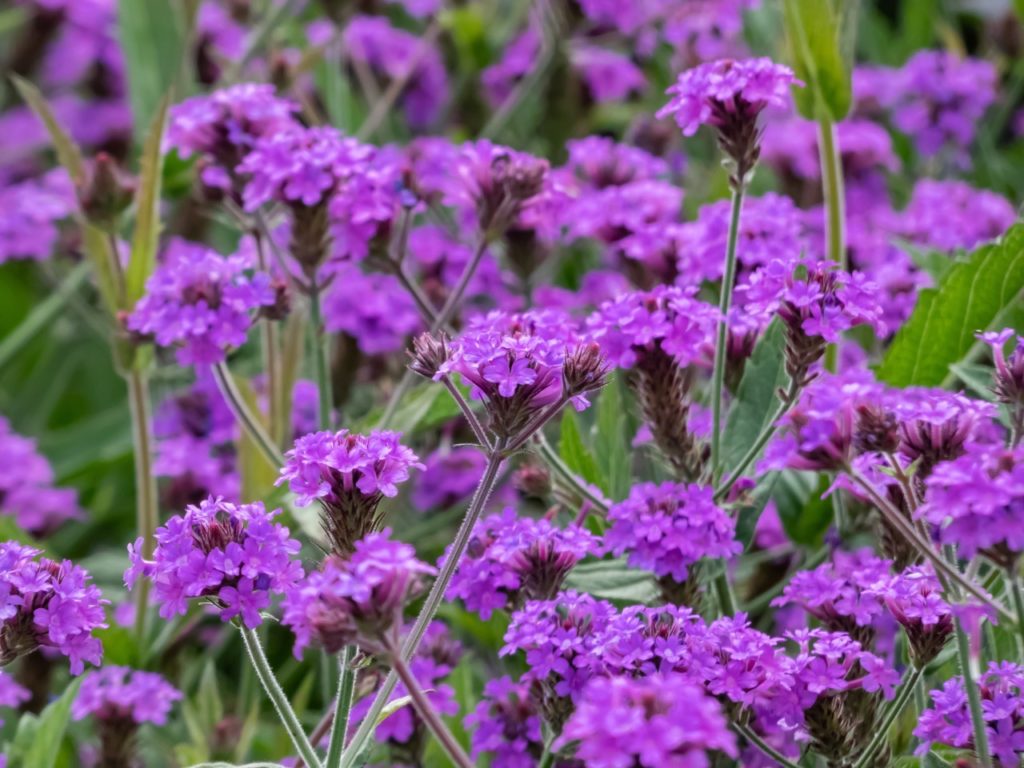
(27, 491)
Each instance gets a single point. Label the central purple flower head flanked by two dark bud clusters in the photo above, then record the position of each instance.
(518, 365)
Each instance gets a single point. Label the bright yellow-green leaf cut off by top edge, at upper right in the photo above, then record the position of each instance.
(820, 39)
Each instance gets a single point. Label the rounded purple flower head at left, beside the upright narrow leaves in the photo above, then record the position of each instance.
(200, 303)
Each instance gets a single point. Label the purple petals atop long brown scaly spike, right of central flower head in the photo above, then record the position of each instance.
(666, 318)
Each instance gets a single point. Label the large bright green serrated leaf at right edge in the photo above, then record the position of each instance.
(975, 295)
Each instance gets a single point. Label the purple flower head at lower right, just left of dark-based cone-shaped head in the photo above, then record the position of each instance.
(842, 594)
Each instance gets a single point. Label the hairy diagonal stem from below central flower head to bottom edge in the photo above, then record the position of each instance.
(432, 605)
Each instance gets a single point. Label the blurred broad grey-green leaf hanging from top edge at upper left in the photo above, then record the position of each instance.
(152, 34)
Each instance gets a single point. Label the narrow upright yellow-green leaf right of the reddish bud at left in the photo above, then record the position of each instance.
(147, 233)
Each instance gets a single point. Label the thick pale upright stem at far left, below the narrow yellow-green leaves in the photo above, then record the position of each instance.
(147, 507)
